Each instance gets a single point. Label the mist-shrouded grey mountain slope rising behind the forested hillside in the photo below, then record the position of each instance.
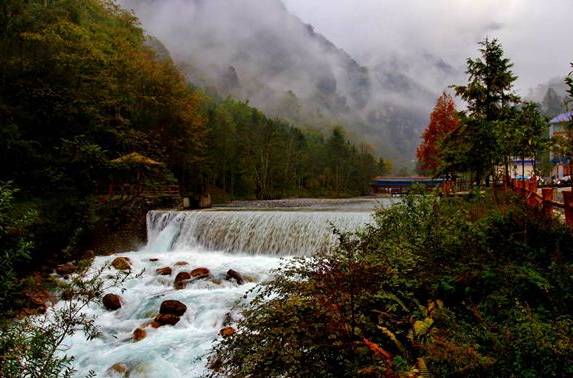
(255, 50)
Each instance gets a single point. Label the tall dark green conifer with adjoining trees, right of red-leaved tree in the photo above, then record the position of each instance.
(496, 128)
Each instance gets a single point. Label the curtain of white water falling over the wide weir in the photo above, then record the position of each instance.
(274, 233)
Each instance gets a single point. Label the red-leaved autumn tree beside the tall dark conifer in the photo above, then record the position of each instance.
(443, 121)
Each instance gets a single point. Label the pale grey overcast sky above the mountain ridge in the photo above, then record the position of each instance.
(537, 34)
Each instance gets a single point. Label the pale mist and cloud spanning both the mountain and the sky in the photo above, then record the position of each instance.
(375, 66)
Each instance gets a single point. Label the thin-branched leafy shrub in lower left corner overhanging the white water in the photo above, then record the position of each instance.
(34, 346)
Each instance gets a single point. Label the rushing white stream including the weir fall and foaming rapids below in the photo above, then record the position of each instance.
(249, 241)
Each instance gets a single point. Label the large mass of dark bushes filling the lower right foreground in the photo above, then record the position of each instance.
(451, 287)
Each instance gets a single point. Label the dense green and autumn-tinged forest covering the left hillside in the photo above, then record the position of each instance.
(81, 86)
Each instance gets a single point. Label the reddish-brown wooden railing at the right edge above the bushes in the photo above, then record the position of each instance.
(528, 189)
